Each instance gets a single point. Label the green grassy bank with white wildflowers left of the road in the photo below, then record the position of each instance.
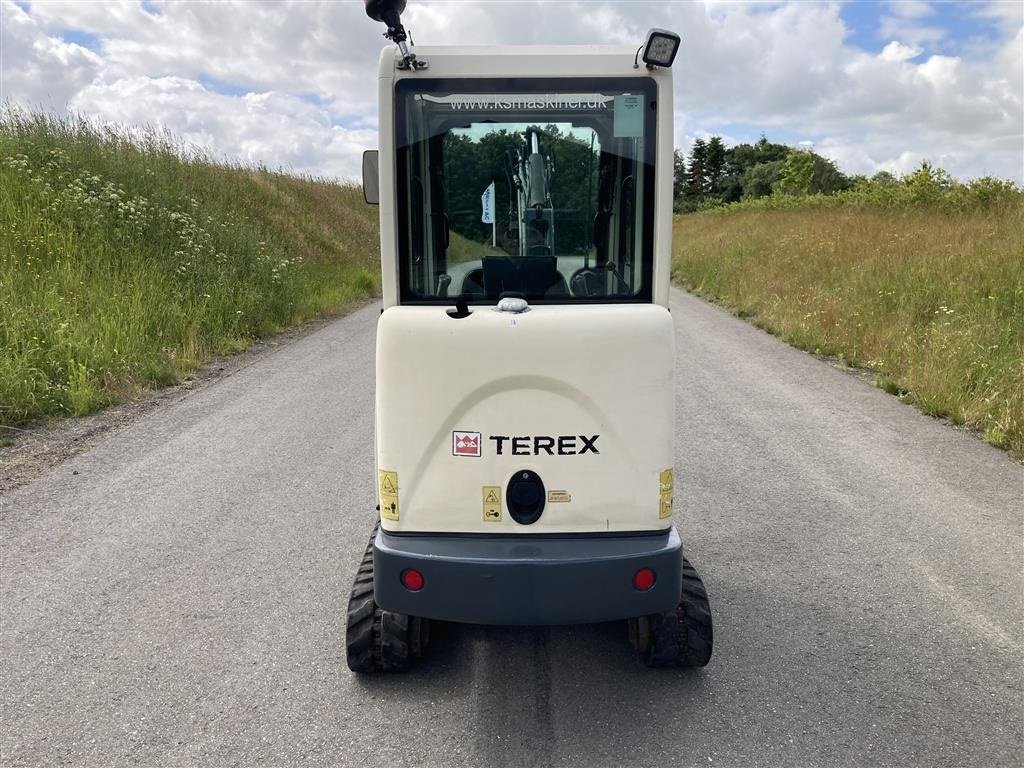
(126, 262)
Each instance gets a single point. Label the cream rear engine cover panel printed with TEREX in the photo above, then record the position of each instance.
(582, 396)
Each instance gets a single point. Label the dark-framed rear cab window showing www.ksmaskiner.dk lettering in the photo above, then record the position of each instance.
(538, 189)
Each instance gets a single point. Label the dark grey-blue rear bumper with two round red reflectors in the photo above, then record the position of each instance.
(523, 580)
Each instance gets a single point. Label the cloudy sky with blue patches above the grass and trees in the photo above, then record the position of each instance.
(873, 86)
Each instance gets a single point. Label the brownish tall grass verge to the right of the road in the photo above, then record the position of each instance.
(929, 297)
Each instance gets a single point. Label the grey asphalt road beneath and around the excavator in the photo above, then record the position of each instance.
(176, 595)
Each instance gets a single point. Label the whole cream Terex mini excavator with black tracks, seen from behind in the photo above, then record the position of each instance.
(525, 410)
